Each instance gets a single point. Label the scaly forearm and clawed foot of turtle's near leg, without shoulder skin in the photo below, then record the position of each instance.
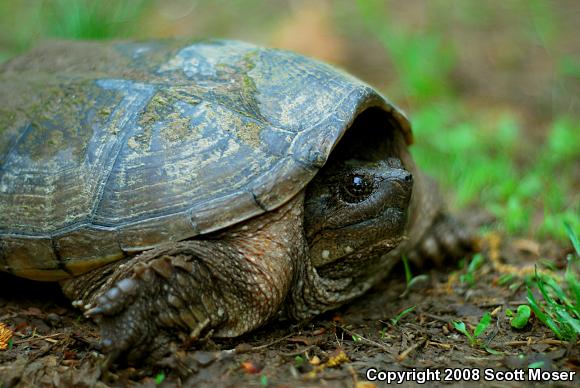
(190, 288)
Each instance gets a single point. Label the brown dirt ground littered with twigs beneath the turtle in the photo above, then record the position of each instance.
(53, 345)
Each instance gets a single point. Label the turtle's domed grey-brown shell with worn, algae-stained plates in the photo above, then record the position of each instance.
(112, 148)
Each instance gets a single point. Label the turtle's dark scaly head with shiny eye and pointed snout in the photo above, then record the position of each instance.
(354, 206)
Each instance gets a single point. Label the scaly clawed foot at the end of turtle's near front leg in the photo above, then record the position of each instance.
(141, 304)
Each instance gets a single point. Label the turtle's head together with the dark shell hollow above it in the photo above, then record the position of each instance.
(356, 207)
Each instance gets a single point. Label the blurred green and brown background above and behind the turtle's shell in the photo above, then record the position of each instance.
(492, 87)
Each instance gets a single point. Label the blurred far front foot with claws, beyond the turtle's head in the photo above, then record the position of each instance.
(448, 239)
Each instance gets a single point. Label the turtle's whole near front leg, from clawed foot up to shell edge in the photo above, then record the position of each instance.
(229, 284)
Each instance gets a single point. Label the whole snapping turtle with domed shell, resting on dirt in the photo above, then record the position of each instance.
(201, 188)
